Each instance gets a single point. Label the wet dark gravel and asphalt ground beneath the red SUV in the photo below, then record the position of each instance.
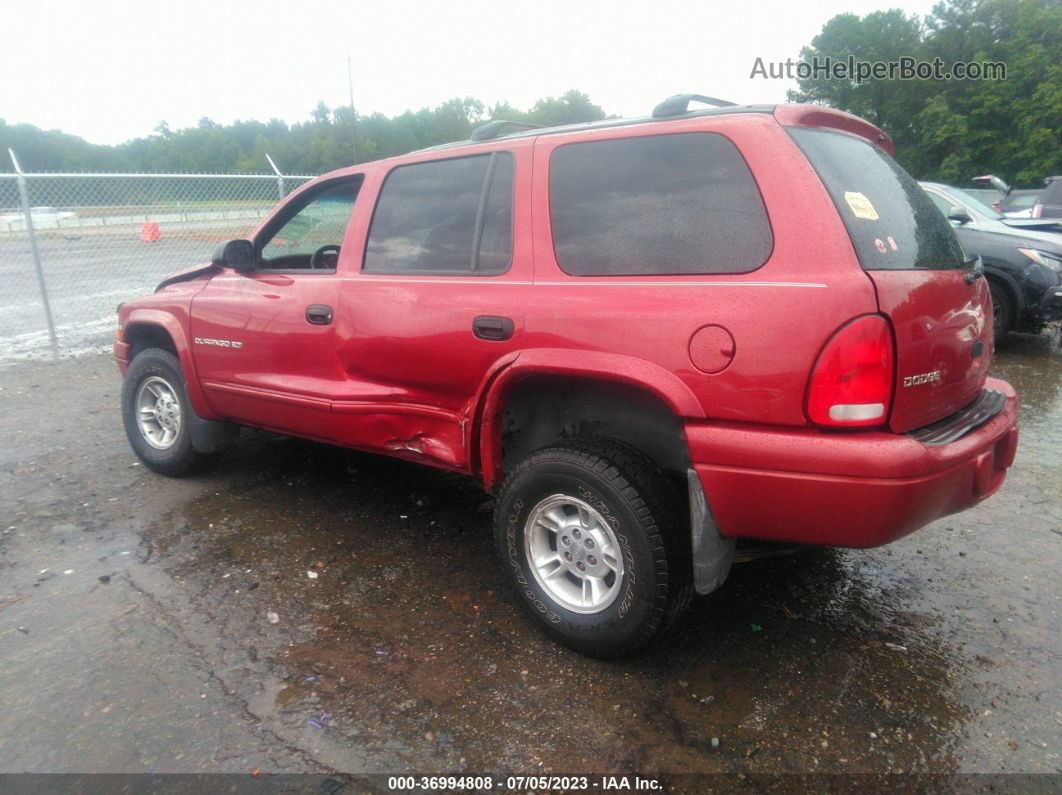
(135, 628)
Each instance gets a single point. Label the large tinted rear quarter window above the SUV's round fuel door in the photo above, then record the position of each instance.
(655, 205)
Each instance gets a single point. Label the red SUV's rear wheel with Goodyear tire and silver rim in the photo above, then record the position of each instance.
(580, 498)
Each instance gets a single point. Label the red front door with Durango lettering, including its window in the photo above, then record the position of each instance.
(265, 341)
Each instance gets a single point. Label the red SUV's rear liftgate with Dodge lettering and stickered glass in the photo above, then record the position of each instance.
(939, 307)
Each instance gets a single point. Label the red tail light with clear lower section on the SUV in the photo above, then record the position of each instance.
(851, 385)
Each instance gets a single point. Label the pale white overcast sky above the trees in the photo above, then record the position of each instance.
(110, 72)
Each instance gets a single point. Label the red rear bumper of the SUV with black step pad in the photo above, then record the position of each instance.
(847, 490)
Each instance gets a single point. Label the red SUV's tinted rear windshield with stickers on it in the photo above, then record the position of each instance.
(894, 224)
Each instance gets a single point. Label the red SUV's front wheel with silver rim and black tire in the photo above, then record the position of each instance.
(156, 384)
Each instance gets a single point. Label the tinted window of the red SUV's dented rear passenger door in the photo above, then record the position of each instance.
(444, 216)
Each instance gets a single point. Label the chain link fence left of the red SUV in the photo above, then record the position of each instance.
(75, 246)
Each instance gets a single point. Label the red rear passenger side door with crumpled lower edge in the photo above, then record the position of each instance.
(446, 270)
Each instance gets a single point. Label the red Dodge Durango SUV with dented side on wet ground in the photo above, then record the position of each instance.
(648, 338)
